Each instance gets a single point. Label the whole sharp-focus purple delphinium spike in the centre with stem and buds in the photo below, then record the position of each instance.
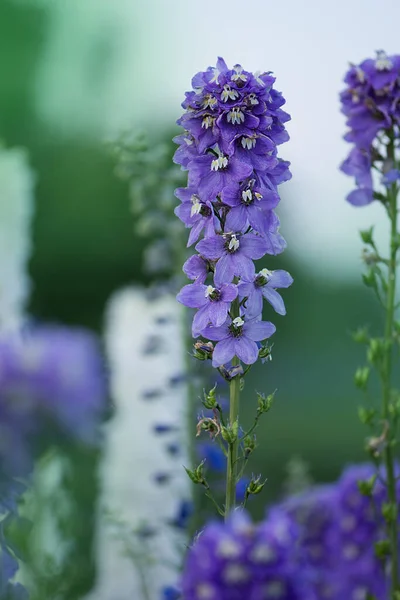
(233, 123)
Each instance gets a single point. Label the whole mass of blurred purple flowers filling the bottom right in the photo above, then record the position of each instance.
(317, 545)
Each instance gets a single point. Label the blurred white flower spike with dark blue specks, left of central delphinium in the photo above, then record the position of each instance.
(145, 489)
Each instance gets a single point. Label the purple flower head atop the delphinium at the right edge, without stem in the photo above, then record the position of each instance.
(371, 104)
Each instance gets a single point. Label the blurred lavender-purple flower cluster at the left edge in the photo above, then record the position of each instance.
(52, 387)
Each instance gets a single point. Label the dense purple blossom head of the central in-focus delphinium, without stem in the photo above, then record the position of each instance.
(233, 125)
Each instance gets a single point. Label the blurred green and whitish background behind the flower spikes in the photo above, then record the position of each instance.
(77, 73)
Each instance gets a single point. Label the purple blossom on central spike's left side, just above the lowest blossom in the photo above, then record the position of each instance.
(213, 303)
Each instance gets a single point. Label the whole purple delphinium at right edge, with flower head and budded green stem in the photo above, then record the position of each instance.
(371, 103)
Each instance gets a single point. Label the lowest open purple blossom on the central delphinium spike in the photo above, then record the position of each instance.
(238, 338)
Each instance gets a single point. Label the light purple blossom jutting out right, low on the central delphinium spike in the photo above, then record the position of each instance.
(264, 285)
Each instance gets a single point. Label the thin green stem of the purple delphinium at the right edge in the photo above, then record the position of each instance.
(386, 381)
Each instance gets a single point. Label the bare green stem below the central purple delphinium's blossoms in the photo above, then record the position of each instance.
(231, 470)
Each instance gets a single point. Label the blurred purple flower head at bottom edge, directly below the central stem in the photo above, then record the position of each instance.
(237, 560)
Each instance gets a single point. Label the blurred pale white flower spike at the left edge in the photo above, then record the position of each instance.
(16, 208)
